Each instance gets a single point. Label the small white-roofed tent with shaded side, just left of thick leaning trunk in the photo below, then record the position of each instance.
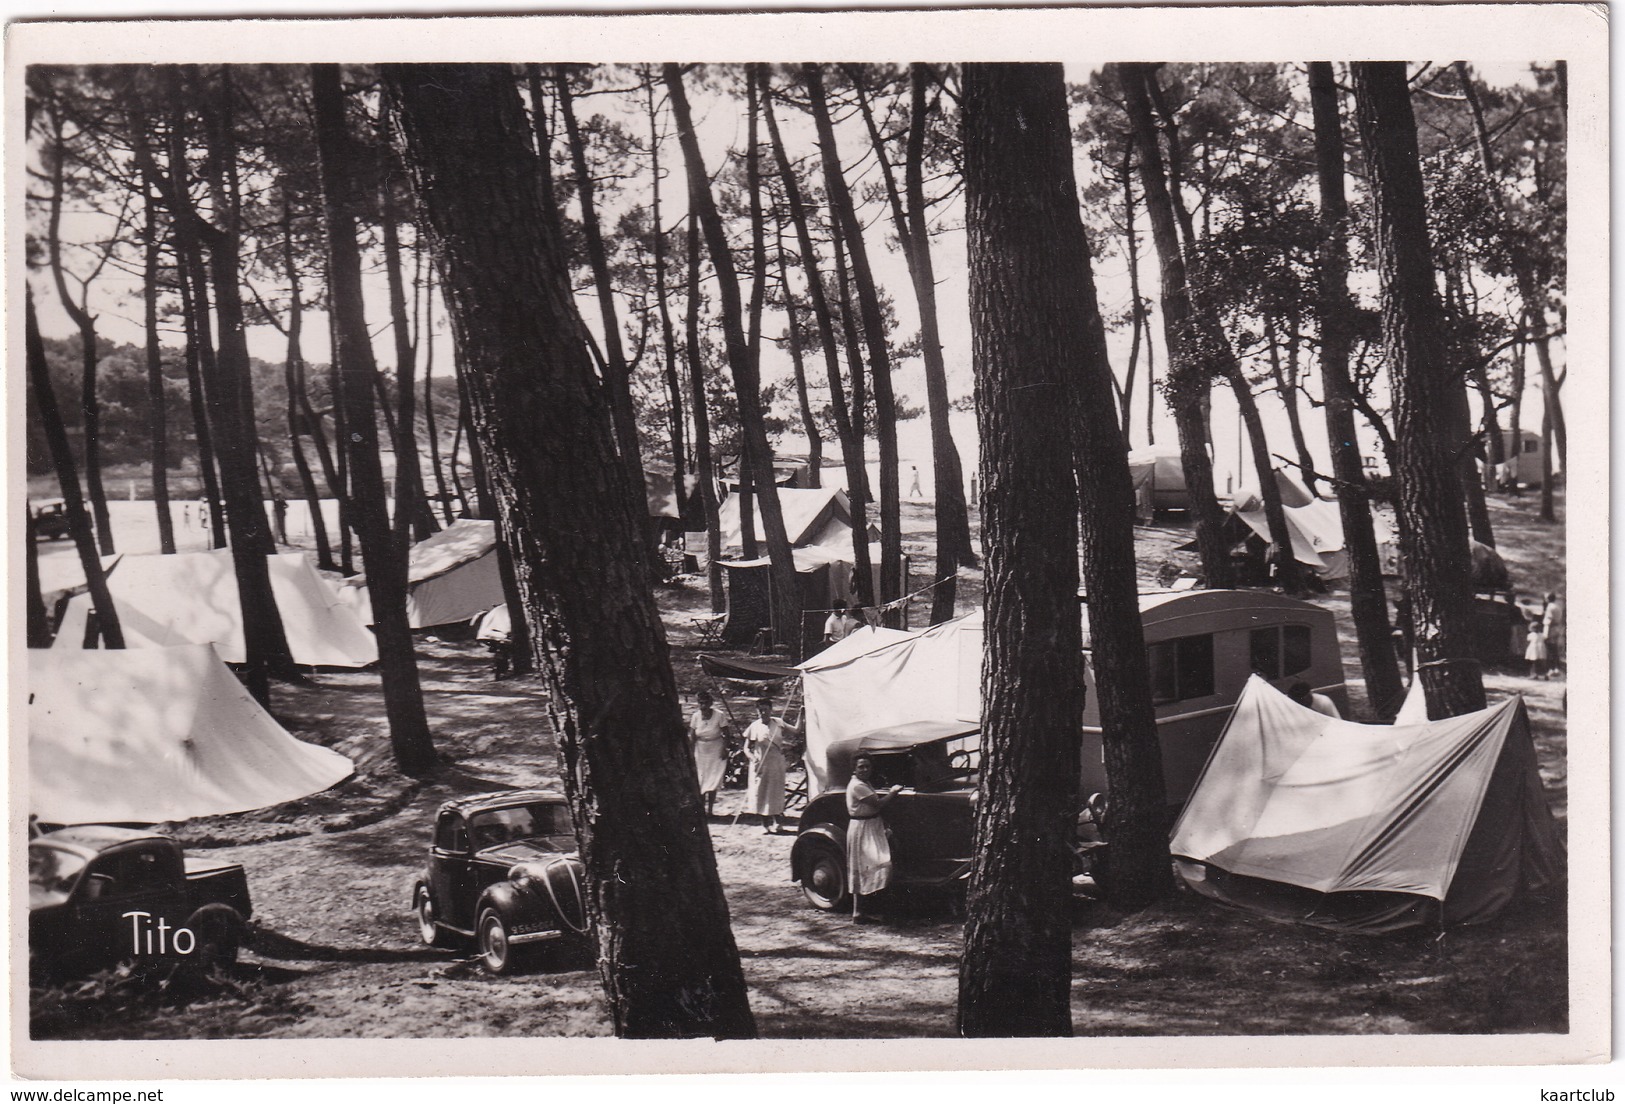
(453, 576)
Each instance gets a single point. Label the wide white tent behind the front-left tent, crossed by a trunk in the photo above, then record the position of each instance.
(193, 599)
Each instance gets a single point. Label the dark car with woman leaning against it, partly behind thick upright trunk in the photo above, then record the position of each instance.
(932, 820)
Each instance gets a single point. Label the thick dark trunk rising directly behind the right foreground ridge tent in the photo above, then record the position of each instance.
(1432, 526)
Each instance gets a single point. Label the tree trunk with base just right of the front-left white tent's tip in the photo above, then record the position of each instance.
(383, 552)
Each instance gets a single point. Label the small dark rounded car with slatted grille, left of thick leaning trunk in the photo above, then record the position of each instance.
(505, 874)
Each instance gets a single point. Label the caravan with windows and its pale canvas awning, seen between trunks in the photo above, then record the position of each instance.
(1202, 646)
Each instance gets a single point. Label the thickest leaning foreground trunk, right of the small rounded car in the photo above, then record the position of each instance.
(667, 955)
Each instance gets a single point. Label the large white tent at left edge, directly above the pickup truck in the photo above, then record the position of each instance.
(158, 734)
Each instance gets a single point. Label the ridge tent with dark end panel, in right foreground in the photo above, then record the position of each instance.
(1369, 828)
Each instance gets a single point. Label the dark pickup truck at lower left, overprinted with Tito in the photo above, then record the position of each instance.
(100, 895)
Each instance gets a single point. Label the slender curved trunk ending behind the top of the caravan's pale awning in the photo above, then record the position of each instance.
(875, 339)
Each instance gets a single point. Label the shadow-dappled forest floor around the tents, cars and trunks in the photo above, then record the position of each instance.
(336, 950)
